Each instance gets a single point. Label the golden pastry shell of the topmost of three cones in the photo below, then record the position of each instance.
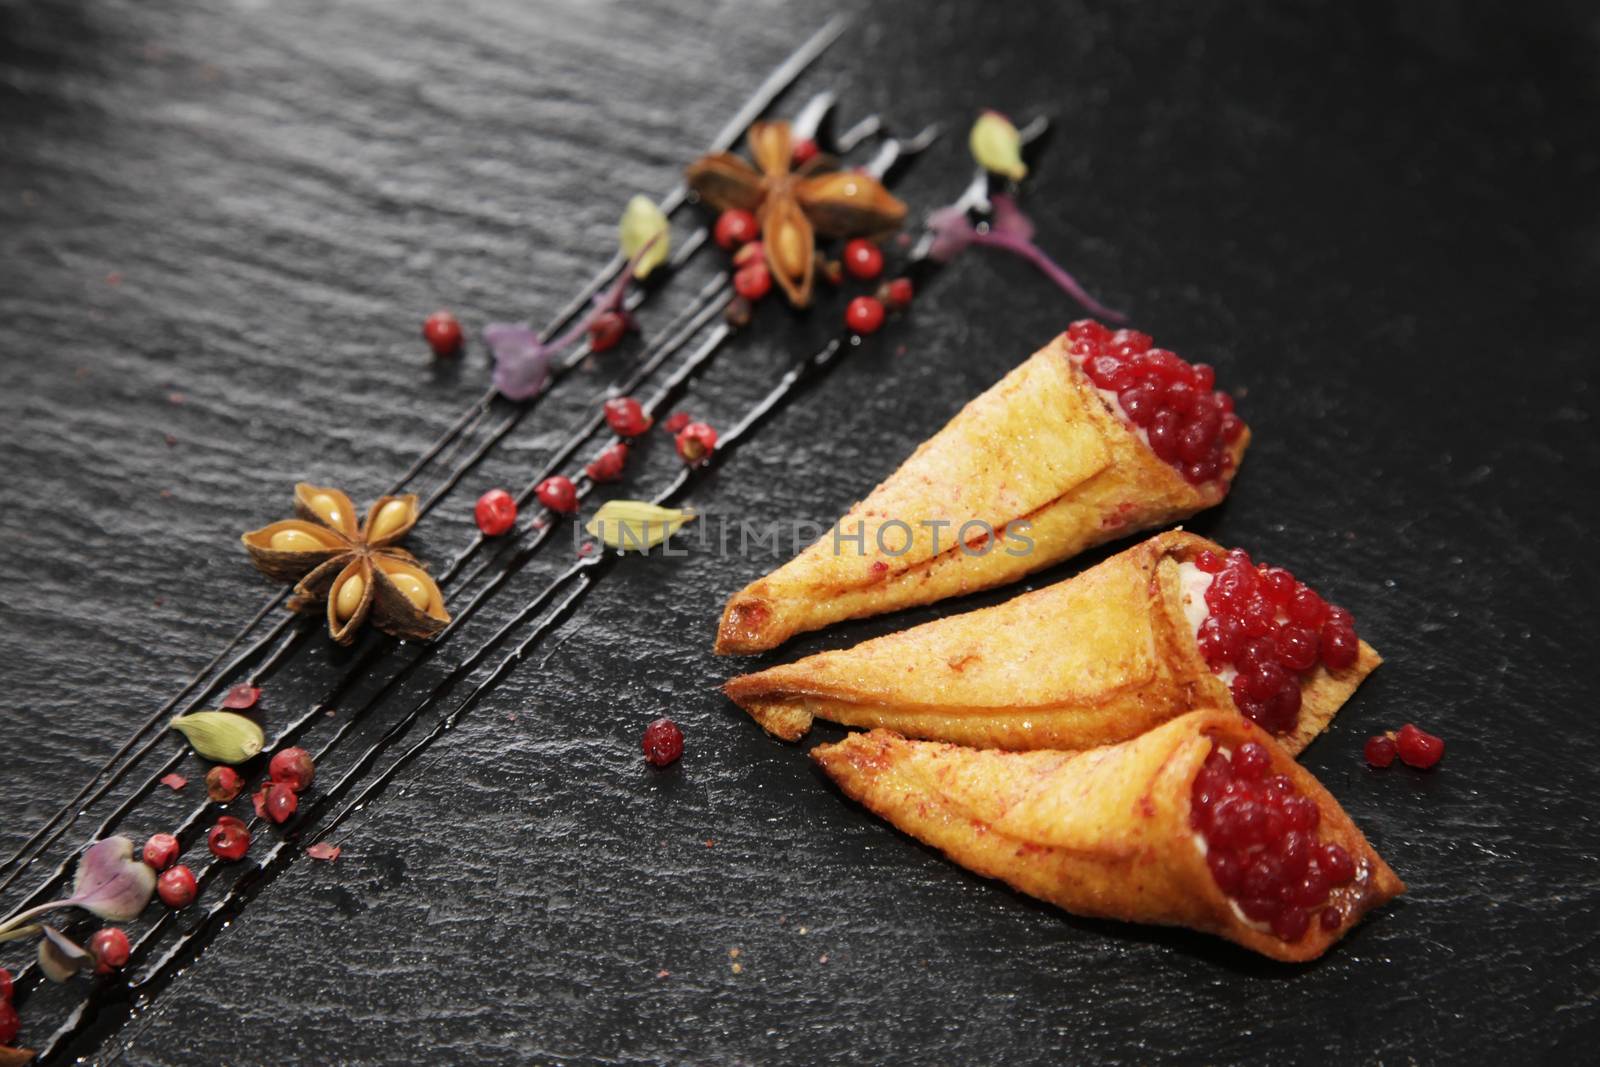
(1041, 449)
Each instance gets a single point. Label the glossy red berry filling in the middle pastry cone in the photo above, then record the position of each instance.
(1263, 633)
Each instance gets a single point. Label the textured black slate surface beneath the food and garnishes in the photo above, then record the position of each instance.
(1380, 222)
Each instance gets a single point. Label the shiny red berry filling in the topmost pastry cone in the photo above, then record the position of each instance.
(1170, 402)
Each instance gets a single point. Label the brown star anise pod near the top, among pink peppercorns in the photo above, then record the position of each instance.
(794, 209)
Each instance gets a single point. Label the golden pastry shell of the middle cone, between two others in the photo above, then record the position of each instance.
(1095, 660)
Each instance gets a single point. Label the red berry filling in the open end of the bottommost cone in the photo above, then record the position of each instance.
(1262, 844)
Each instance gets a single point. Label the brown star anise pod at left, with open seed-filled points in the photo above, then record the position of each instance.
(351, 572)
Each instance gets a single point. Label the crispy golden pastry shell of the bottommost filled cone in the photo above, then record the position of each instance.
(1105, 833)
